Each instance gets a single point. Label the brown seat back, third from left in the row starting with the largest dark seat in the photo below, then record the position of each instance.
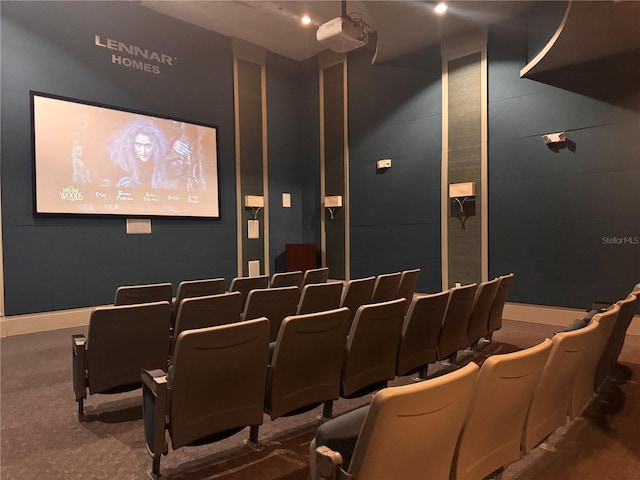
(372, 347)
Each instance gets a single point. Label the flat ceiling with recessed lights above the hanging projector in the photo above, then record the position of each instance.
(401, 26)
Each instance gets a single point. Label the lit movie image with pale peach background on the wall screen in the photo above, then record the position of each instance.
(97, 160)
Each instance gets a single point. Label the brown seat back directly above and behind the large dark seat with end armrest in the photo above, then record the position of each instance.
(208, 311)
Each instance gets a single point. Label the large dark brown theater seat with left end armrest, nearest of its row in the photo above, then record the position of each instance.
(195, 402)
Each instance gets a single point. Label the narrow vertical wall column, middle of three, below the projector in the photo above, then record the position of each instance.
(334, 164)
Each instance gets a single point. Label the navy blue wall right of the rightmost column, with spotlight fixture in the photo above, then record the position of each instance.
(551, 212)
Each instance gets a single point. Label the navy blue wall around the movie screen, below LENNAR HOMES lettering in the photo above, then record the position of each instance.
(66, 262)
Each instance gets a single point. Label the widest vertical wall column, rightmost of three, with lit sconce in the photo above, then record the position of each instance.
(464, 159)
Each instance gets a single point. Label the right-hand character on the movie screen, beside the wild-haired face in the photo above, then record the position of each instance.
(182, 168)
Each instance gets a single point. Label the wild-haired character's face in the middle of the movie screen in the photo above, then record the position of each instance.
(139, 148)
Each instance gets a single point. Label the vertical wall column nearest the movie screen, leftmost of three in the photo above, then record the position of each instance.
(251, 157)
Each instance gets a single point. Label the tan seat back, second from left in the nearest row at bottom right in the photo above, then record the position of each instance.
(492, 433)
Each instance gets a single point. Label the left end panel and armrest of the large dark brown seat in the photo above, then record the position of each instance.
(154, 407)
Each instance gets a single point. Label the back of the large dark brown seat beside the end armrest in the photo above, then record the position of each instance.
(203, 402)
